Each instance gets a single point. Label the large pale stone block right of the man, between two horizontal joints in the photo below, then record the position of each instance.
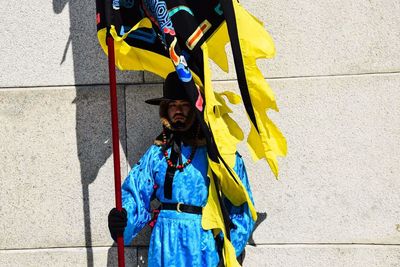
(339, 182)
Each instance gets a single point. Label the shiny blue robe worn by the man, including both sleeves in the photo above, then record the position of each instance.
(178, 239)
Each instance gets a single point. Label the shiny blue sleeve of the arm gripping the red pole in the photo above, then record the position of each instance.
(137, 191)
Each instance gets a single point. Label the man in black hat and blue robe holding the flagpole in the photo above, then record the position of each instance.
(174, 171)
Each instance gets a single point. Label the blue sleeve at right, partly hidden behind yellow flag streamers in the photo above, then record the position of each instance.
(240, 215)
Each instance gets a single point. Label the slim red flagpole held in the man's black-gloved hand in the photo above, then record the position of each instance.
(115, 141)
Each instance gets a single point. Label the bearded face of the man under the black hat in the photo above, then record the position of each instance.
(179, 113)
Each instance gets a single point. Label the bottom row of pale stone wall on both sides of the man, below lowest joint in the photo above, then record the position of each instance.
(265, 255)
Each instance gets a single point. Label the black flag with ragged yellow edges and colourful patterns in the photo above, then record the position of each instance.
(162, 36)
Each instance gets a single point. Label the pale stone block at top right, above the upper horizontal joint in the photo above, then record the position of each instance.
(326, 38)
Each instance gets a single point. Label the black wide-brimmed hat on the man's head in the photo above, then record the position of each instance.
(172, 90)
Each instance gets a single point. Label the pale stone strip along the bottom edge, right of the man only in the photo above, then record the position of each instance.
(322, 255)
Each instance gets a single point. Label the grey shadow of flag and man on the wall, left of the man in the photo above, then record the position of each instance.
(93, 128)
